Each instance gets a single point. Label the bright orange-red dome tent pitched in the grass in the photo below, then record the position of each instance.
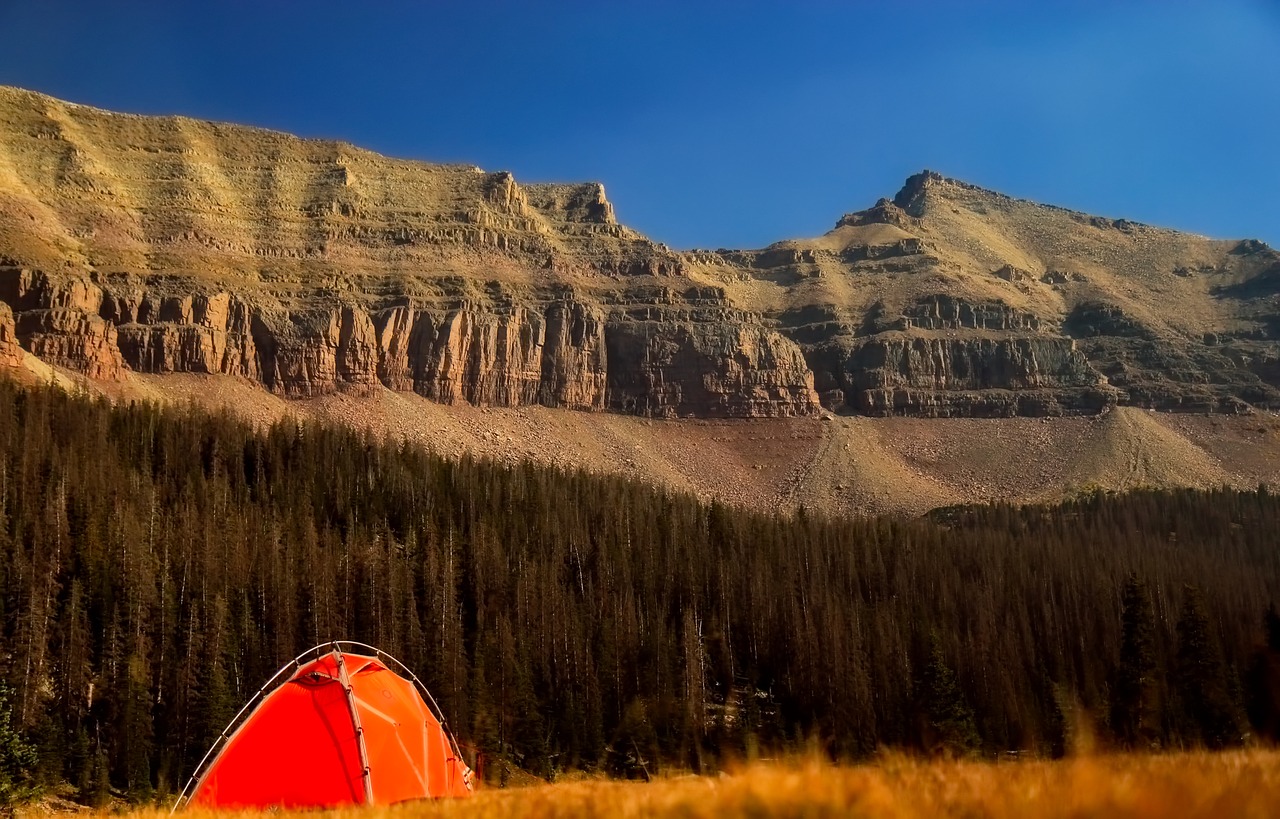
(349, 726)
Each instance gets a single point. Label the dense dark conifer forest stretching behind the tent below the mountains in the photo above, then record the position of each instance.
(159, 565)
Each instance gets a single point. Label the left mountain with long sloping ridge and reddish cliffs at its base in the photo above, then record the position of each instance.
(175, 246)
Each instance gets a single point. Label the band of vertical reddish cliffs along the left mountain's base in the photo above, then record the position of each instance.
(670, 359)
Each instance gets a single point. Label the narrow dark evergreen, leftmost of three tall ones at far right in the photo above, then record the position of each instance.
(1132, 706)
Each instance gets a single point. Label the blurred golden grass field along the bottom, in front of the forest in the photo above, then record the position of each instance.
(1237, 784)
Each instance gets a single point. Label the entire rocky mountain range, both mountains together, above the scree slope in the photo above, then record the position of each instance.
(166, 245)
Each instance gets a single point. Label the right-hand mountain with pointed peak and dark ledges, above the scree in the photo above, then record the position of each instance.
(956, 301)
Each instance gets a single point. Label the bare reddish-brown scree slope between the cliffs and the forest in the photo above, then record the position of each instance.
(842, 465)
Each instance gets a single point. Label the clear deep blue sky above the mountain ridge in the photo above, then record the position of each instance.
(725, 125)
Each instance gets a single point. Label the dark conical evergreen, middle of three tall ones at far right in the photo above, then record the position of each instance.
(1208, 711)
